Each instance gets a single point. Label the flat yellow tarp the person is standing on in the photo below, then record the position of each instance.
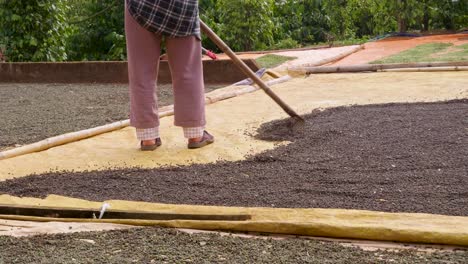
(231, 121)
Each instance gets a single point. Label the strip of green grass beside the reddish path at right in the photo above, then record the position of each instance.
(431, 52)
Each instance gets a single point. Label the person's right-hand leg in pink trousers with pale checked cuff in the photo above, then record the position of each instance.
(185, 61)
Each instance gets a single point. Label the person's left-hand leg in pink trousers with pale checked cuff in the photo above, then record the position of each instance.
(143, 51)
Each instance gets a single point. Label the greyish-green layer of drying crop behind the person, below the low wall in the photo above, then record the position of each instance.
(32, 112)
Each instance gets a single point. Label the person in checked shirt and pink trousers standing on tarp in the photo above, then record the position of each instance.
(176, 22)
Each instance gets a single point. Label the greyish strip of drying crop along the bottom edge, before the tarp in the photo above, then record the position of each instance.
(154, 245)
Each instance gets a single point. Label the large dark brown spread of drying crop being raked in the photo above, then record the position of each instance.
(392, 158)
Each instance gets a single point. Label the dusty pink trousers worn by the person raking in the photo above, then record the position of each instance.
(185, 62)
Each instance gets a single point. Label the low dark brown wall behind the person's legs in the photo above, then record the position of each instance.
(215, 71)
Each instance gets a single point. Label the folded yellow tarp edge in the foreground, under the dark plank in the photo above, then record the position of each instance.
(356, 224)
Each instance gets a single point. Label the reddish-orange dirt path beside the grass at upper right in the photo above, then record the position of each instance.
(386, 47)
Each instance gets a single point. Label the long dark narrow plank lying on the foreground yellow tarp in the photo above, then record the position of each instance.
(57, 212)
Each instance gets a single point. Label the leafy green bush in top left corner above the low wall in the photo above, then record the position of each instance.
(33, 30)
